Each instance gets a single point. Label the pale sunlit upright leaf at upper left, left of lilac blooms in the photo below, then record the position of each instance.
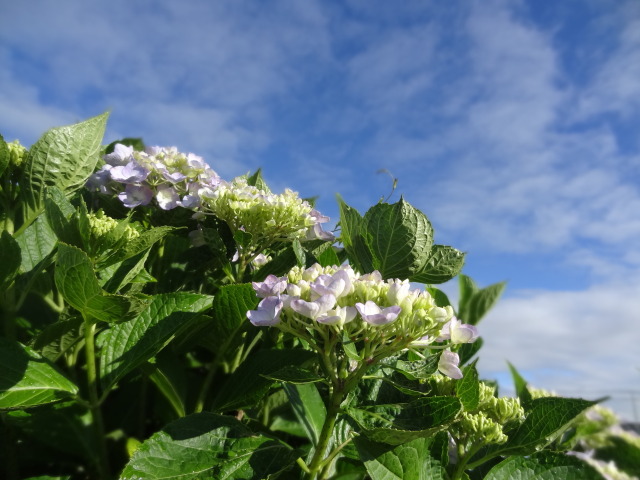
(63, 157)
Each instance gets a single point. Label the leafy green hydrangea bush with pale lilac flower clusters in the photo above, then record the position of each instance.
(159, 321)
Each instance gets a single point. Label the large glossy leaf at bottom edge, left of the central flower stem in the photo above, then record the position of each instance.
(206, 446)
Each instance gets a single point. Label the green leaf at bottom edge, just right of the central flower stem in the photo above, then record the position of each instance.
(411, 461)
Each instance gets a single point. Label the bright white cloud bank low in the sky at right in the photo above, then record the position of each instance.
(569, 342)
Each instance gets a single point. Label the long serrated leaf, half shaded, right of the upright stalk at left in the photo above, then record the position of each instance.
(127, 345)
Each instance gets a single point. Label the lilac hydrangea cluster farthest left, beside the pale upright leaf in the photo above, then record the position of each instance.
(171, 177)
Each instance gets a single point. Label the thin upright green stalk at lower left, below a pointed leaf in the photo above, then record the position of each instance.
(102, 463)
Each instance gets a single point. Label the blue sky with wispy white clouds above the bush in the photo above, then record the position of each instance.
(512, 124)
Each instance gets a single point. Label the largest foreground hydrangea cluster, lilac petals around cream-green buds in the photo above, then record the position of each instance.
(334, 306)
